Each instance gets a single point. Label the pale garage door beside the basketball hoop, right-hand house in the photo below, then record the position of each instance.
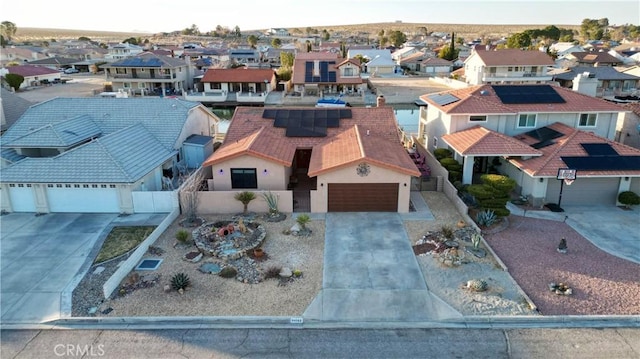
(585, 191)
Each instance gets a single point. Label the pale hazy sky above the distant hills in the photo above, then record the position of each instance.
(170, 15)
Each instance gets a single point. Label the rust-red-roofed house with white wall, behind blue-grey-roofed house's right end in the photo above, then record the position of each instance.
(241, 85)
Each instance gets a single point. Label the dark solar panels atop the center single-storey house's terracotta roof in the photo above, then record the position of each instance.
(306, 122)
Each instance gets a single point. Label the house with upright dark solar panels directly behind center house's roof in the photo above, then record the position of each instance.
(322, 73)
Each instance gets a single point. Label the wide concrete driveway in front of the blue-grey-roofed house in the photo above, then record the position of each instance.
(43, 257)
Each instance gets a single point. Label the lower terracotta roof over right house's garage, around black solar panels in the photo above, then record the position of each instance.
(570, 145)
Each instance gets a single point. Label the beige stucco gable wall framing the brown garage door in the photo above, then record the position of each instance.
(319, 199)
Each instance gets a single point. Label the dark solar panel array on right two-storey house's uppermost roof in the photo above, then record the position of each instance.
(527, 94)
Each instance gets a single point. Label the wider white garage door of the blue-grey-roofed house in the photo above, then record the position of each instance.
(83, 200)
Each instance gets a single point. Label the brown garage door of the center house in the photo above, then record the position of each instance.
(363, 197)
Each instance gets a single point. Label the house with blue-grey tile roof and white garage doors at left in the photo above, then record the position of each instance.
(90, 155)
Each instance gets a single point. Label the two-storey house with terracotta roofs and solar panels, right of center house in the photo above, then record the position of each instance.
(529, 132)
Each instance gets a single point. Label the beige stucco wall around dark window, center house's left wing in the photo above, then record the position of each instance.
(276, 177)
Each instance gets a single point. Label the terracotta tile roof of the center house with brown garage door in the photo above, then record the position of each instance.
(251, 134)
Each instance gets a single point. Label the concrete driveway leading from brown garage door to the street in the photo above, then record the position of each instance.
(371, 273)
